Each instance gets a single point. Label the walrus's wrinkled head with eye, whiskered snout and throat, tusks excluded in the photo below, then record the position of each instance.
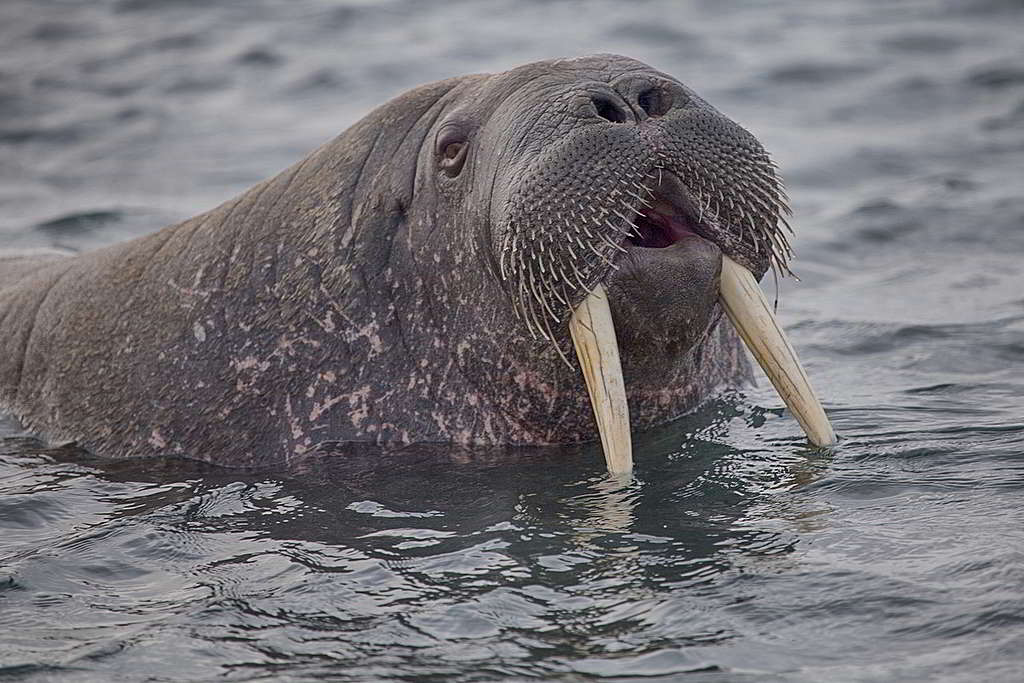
(574, 175)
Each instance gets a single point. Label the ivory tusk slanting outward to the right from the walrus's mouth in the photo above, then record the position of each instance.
(749, 311)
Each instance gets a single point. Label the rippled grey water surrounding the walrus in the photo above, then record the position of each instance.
(737, 553)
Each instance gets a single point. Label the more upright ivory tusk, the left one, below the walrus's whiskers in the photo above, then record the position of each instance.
(594, 338)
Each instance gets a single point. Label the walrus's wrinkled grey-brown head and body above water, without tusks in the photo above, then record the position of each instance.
(411, 281)
